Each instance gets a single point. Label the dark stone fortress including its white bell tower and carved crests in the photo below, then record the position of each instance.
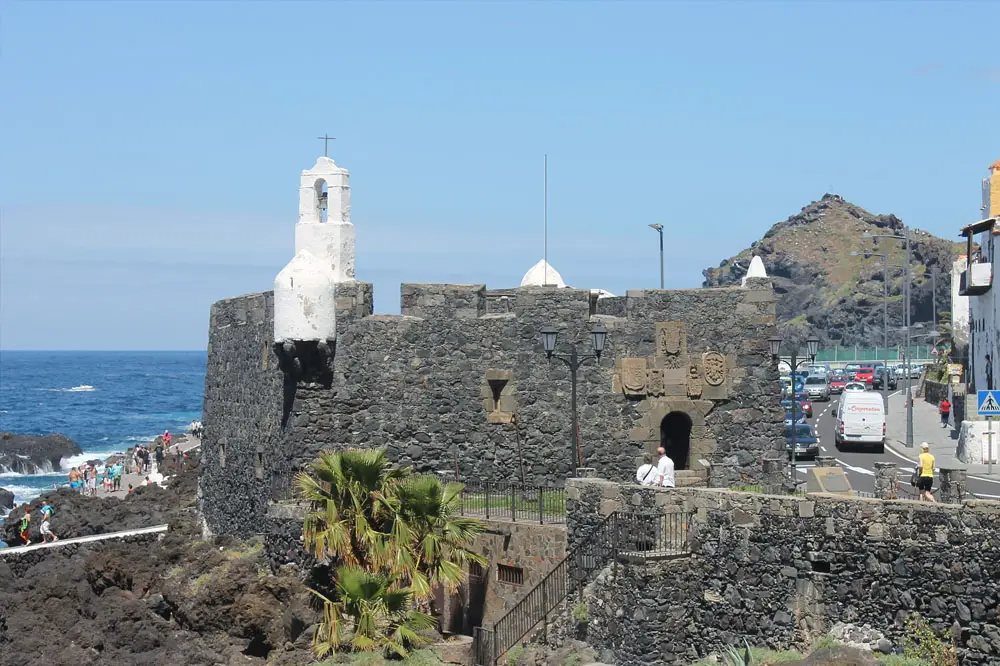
(458, 383)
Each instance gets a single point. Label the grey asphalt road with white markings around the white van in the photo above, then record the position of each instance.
(860, 465)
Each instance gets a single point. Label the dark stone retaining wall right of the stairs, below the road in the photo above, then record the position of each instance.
(779, 571)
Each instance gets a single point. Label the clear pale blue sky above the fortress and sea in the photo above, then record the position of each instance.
(151, 151)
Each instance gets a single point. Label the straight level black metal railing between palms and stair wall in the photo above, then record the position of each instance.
(514, 502)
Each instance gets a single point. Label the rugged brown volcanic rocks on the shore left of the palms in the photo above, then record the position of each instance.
(183, 601)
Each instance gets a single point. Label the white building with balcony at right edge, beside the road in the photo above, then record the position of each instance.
(977, 281)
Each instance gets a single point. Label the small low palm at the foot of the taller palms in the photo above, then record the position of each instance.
(383, 619)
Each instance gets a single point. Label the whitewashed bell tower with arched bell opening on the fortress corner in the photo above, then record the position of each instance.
(305, 289)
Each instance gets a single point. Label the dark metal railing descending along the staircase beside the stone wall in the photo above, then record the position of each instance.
(618, 535)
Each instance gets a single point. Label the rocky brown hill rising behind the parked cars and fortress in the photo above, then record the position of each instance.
(823, 289)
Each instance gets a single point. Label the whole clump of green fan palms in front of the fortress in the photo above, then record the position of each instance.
(395, 535)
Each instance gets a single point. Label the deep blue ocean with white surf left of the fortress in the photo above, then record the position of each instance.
(104, 401)
